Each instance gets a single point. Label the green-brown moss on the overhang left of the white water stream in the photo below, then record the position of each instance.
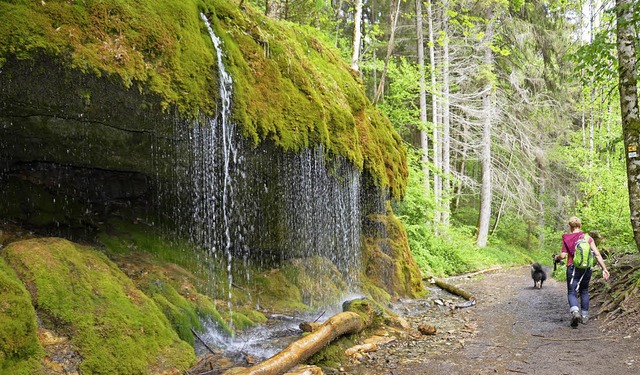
(157, 43)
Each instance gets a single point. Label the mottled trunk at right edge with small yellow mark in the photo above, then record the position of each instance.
(629, 107)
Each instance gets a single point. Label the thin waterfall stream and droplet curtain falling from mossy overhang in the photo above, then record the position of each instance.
(259, 206)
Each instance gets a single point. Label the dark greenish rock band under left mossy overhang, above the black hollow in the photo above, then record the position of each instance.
(52, 114)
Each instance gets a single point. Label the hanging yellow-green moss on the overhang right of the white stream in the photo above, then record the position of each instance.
(318, 101)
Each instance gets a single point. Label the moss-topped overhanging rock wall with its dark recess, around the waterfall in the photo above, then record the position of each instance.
(91, 94)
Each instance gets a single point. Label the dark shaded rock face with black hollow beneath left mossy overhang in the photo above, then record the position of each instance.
(74, 147)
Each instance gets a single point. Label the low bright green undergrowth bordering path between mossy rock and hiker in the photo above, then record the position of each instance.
(455, 251)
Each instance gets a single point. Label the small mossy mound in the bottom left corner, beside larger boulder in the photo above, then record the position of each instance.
(20, 351)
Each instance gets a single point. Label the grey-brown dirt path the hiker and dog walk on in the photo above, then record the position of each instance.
(514, 329)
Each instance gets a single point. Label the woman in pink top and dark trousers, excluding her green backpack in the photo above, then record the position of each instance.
(578, 278)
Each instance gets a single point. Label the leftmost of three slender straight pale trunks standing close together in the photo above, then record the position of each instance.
(424, 138)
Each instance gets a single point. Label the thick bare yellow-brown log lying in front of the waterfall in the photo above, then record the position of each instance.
(340, 324)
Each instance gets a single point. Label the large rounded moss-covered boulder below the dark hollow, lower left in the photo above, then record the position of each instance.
(78, 291)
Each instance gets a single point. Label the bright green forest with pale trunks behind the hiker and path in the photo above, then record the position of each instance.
(510, 111)
